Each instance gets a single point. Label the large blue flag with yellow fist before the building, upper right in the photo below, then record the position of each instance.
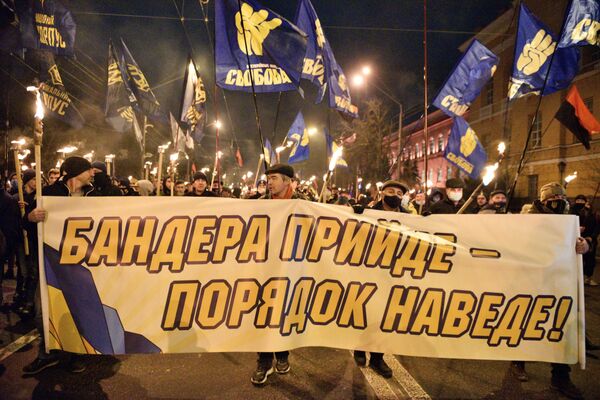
(534, 49)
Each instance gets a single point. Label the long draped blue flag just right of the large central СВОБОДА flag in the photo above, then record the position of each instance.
(320, 66)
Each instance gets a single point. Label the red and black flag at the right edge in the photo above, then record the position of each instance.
(577, 118)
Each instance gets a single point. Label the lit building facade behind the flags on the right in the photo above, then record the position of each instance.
(553, 151)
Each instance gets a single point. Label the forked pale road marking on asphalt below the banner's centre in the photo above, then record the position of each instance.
(382, 388)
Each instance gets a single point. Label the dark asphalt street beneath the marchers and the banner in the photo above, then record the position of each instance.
(317, 373)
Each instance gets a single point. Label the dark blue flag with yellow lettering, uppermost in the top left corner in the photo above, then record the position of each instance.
(47, 25)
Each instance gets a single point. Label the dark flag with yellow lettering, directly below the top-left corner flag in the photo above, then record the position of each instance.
(55, 97)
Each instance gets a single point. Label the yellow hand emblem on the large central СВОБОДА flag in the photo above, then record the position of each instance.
(255, 29)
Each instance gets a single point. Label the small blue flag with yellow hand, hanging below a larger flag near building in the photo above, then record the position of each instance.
(464, 149)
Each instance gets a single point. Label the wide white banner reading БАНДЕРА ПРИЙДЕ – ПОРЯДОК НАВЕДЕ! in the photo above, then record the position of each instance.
(216, 275)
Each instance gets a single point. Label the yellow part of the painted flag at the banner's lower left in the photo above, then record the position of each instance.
(67, 333)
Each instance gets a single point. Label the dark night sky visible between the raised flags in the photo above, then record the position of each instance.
(385, 34)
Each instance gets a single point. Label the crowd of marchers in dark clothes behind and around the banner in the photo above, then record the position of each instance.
(78, 177)
